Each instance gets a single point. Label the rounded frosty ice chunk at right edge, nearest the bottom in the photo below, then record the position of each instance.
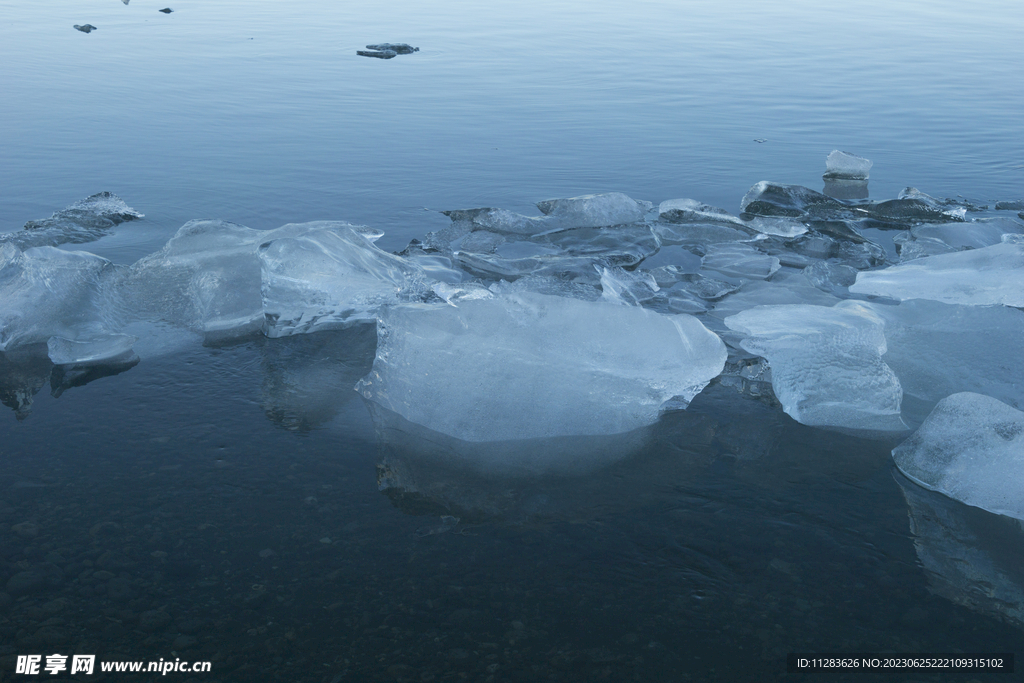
(971, 448)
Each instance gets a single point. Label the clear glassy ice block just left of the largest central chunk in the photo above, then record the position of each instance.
(329, 279)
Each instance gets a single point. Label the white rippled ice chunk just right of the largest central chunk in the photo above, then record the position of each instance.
(827, 364)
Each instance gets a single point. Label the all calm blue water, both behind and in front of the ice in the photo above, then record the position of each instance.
(240, 505)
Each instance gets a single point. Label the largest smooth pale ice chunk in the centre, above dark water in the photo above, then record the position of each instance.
(530, 366)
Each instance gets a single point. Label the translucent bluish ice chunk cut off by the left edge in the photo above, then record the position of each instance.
(48, 292)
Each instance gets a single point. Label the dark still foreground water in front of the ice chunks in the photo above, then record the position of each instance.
(161, 511)
